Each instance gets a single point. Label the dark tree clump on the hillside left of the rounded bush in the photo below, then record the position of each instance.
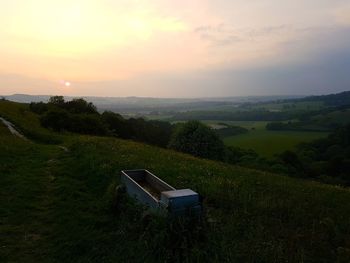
(82, 117)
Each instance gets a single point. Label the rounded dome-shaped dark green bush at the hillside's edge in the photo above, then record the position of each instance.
(195, 138)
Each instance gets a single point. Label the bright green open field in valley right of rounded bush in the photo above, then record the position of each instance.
(267, 143)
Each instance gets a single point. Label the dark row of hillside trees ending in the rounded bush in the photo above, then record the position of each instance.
(79, 116)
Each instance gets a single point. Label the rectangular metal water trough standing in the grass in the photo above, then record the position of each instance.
(157, 194)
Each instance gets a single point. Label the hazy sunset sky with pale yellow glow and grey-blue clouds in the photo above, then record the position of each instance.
(182, 48)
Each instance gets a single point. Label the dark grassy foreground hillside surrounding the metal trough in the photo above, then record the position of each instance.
(57, 206)
